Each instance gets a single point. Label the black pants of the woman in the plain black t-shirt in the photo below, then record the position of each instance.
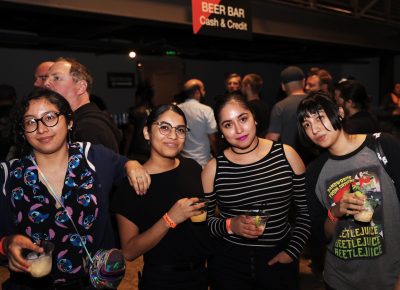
(174, 277)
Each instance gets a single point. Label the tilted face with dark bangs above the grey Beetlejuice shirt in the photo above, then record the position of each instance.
(320, 130)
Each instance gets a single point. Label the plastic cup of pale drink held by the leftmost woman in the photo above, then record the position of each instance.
(41, 263)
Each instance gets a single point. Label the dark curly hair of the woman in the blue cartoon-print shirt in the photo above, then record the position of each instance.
(52, 97)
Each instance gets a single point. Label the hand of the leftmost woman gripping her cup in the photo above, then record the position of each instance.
(14, 245)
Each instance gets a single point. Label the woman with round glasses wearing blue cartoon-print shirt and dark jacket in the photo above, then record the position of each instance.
(57, 191)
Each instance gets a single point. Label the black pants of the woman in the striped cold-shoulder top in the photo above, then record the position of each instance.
(245, 268)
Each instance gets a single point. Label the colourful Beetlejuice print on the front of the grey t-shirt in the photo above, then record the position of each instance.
(357, 239)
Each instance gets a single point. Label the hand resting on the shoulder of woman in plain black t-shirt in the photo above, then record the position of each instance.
(138, 177)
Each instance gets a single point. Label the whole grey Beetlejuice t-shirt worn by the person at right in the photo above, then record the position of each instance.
(360, 255)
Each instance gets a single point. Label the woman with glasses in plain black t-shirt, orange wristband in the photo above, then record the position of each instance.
(157, 224)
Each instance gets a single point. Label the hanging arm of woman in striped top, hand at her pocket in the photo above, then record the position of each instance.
(302, 227)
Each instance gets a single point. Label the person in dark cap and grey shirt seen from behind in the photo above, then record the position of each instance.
(282, 125)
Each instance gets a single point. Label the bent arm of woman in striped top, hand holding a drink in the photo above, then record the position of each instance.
(239, 225)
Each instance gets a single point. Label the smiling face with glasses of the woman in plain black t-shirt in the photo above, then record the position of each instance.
(170, 144)
